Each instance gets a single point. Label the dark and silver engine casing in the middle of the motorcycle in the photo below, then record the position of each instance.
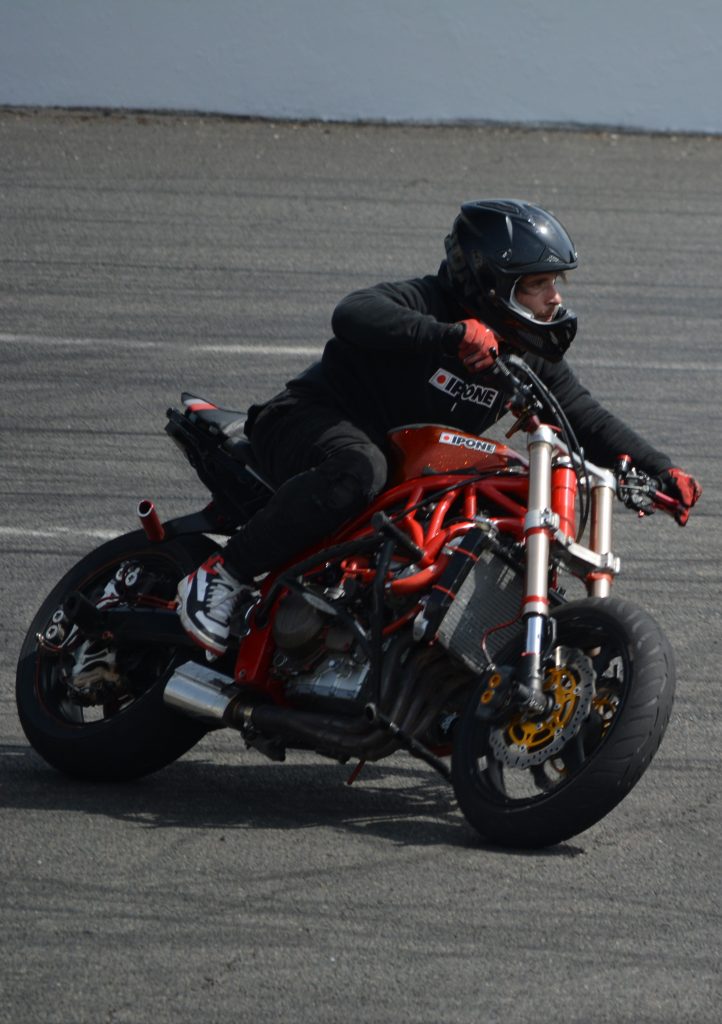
(318, 655)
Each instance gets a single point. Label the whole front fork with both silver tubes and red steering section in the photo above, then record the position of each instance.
(551, 519)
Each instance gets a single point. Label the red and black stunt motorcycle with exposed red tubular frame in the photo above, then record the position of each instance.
(436, 623)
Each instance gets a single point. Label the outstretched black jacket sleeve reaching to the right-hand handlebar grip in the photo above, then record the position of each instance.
(604, 436)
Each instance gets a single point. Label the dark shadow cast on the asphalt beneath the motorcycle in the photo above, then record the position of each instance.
(400, 801)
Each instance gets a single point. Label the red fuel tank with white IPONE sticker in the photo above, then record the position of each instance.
(431, 448)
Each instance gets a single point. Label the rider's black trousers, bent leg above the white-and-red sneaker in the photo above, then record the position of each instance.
(327, 472)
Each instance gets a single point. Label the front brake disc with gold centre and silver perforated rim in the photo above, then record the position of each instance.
(524, 743)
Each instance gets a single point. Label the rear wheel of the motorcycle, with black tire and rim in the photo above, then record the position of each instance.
(111, 723)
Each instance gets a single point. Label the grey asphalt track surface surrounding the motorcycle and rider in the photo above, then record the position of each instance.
(144, 255)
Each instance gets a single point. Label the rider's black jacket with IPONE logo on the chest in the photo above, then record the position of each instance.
(393, 362)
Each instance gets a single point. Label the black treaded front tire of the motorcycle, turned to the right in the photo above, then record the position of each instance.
(632, 680)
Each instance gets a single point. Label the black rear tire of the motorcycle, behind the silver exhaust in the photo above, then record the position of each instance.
(136, 734)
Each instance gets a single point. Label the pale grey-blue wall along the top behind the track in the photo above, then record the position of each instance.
(634, 64)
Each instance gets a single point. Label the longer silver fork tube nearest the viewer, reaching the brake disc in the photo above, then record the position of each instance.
(537, 537)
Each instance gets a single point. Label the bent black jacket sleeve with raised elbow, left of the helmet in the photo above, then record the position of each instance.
(397, 318)
